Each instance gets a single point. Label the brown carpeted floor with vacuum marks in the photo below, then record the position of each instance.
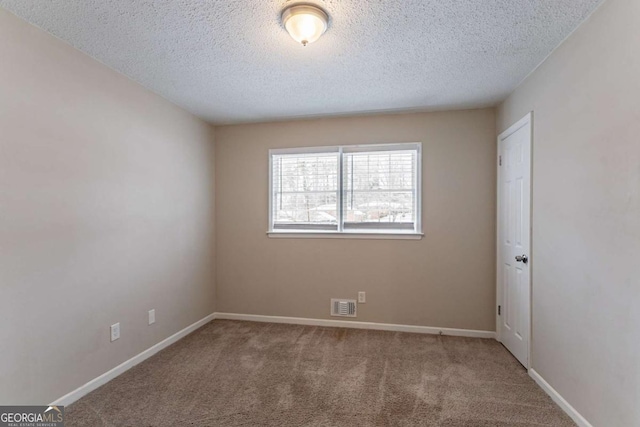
(231, 373)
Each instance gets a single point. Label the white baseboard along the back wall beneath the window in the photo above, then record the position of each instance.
(357, 325)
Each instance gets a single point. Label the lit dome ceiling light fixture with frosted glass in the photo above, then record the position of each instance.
(304, 22)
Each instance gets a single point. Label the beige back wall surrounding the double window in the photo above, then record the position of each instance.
(444, 280)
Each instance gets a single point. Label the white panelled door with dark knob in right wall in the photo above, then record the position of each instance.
(514, 220)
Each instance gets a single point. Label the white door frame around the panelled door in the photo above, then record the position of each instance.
(527, 120)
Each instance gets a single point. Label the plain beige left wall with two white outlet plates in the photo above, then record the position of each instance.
(106, 211)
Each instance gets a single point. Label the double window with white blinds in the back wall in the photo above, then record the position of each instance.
(346, 190)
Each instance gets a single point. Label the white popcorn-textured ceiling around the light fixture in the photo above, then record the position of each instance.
(231, 61)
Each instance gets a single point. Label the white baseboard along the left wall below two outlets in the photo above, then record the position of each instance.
(76, 394)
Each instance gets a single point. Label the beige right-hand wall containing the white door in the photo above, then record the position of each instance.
(586, 214)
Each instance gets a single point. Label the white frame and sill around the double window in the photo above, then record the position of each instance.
(412, 234)
